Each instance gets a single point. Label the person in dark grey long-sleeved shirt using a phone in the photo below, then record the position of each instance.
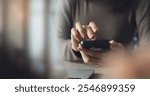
(117, 20)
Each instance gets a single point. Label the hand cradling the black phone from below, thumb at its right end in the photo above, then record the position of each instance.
(97, 57)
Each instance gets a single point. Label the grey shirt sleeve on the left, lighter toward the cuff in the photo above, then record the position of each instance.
(64, 22)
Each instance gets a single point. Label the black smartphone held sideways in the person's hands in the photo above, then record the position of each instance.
(102, 45)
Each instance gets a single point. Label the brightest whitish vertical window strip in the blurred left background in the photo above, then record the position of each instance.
(36, 27)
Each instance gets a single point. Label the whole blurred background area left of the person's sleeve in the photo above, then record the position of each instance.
(27, 39)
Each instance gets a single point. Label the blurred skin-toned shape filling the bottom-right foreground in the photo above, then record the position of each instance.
(135, 64)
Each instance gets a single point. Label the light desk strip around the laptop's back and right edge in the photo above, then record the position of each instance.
(75, 65)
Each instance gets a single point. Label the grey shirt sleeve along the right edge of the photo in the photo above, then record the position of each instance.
(142, 14)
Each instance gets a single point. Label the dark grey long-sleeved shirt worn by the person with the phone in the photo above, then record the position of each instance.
(118, 21)
